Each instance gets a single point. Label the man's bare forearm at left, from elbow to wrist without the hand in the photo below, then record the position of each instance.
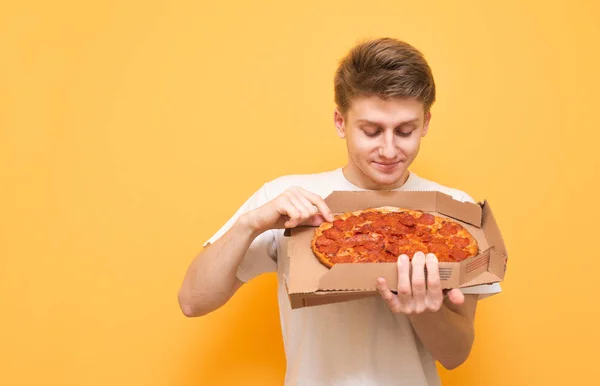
(211, 278)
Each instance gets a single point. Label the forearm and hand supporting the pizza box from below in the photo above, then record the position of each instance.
(445, 326)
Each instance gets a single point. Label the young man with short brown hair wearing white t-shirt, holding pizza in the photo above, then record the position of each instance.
(384, 90)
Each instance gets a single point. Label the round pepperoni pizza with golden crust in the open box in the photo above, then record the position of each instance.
(380, 235)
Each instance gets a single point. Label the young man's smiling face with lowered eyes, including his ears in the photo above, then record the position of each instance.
(383, 139)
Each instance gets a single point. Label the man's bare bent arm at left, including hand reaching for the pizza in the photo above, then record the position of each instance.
(211, 280)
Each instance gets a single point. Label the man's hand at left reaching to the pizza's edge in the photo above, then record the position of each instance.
(292, 208)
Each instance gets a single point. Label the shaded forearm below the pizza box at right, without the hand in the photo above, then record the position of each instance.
(446, 334)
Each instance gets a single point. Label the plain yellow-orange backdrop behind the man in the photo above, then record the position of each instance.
(131, 130)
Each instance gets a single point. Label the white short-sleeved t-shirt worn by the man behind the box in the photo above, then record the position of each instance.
(360, 342)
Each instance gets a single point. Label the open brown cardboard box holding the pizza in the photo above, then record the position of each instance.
(310, 283)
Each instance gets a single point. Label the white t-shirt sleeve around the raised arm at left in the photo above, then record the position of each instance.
(261, 256)
